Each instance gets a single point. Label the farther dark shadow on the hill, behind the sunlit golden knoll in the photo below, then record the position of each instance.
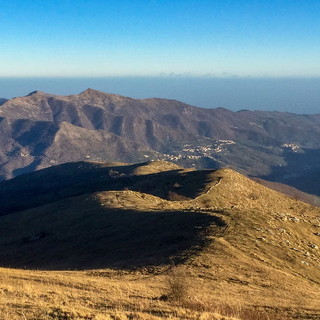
(73, 179)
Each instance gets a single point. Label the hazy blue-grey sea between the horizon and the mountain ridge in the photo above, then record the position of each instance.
(299, 95)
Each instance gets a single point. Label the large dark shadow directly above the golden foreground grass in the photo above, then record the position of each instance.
(91, 237)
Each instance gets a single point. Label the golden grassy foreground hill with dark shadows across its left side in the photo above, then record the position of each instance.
(236, 248)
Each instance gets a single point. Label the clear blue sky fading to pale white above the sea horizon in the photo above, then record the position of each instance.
(98, 38)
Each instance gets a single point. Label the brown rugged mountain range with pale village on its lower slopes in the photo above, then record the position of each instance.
(40, 130)
